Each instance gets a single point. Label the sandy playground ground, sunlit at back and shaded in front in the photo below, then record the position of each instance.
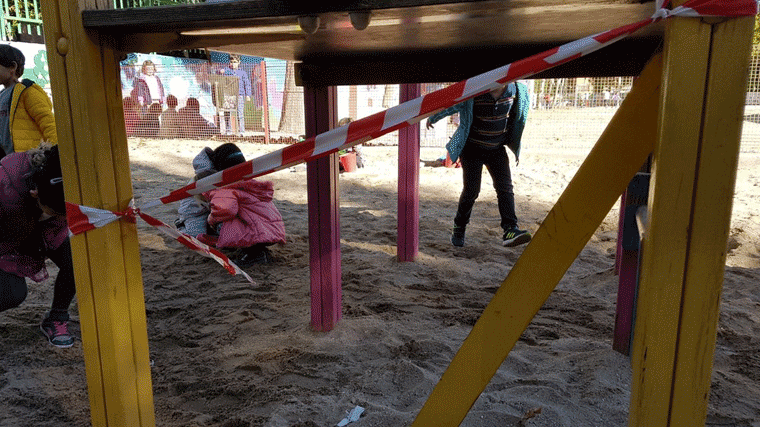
(230, 354)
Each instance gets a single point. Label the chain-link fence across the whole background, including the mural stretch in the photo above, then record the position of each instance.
(567, 113)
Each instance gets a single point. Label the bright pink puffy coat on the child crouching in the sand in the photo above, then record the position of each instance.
(247, 214)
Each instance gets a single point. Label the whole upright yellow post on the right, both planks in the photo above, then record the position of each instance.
(690, 211)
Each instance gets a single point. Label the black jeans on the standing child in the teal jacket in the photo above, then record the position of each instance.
(473, 158)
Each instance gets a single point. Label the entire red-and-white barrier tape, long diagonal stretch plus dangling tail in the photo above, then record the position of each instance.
(82, 218)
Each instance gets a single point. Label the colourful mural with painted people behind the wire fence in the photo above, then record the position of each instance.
(174, 97)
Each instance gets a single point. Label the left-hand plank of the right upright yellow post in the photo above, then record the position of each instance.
(665, 246)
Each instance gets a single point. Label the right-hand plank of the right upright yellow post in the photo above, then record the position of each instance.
(711, 218)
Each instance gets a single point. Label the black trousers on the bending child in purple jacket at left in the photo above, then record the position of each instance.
(13, 288)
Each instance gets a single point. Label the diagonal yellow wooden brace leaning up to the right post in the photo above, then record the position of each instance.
(617, 156)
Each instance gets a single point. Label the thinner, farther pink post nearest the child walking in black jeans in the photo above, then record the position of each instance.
(408, 182)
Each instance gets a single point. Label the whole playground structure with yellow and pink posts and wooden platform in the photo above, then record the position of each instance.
(684, 108)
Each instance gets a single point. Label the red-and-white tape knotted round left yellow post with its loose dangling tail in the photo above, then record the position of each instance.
(81, 219)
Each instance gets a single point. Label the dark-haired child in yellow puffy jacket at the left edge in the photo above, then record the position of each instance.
(25, 108)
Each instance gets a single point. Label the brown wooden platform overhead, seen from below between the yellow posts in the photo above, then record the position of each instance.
(405, 42)
